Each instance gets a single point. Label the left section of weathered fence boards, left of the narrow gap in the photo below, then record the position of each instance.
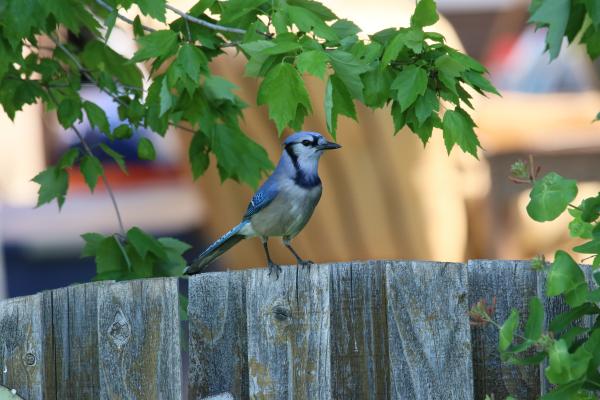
(98, 340)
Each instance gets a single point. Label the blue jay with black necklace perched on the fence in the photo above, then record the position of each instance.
(283, 204)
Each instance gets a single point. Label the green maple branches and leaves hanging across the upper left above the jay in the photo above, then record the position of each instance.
(408, 70)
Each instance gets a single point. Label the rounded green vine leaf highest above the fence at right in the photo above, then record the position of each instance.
(550, 196)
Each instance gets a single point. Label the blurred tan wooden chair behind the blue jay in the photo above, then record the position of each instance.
(384, 196)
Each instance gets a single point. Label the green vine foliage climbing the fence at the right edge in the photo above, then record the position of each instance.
(570, 347)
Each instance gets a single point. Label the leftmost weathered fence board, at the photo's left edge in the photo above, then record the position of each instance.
(21, 346)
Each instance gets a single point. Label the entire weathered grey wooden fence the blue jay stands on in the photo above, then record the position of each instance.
(361, 330)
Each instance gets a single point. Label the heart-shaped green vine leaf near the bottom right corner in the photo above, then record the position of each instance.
(565, 367)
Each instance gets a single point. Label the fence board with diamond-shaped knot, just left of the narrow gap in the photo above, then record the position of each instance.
(138, 340)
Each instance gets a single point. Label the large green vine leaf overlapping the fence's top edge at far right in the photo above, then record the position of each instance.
(566, 277)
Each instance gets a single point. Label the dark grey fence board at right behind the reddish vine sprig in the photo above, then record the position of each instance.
(512, 284)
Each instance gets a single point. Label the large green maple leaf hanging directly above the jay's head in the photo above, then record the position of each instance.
(284, 92)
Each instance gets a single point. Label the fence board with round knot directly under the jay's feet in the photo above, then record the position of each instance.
(289, 349)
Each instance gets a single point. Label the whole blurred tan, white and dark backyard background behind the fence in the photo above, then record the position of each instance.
(412, 203)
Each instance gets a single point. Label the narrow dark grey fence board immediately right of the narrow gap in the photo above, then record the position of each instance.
(218, 338)
